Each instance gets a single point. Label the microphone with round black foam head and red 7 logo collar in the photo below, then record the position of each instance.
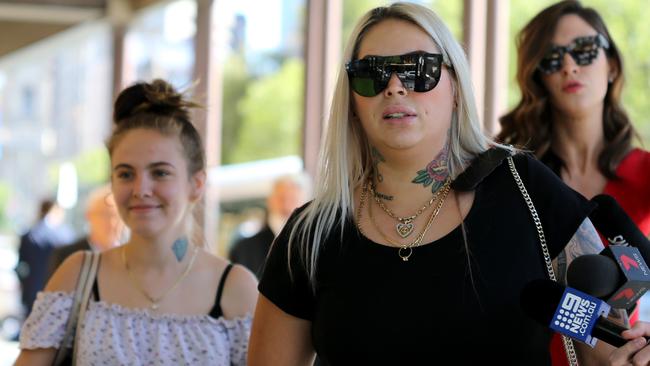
(618, 275)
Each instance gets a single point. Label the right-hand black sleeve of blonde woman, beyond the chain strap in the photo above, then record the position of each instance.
(560, 208)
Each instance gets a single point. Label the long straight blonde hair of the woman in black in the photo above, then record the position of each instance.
(345, 158)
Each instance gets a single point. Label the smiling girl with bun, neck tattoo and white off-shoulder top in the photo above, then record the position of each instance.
(161, 298)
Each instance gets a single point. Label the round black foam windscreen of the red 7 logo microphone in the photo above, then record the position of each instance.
(596, 275)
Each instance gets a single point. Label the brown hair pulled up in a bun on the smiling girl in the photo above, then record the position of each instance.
(158, 106)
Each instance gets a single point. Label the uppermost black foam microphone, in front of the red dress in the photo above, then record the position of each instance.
(616, 226)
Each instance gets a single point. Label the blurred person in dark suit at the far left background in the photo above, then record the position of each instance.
(36, 247)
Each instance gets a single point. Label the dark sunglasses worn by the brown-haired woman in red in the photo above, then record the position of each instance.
(583, 50)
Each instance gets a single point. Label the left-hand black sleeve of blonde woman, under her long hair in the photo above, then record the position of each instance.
(290, 291)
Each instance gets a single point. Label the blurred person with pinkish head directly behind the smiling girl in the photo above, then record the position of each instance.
(104, 228)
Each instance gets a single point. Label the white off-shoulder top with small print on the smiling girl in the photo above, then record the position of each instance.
(115, 335)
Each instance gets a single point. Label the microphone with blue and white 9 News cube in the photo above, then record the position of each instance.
(571, 312)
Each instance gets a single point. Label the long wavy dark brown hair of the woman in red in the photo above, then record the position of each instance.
(530, 123)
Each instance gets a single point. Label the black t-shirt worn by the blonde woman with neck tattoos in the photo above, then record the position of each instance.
(371, 308)
